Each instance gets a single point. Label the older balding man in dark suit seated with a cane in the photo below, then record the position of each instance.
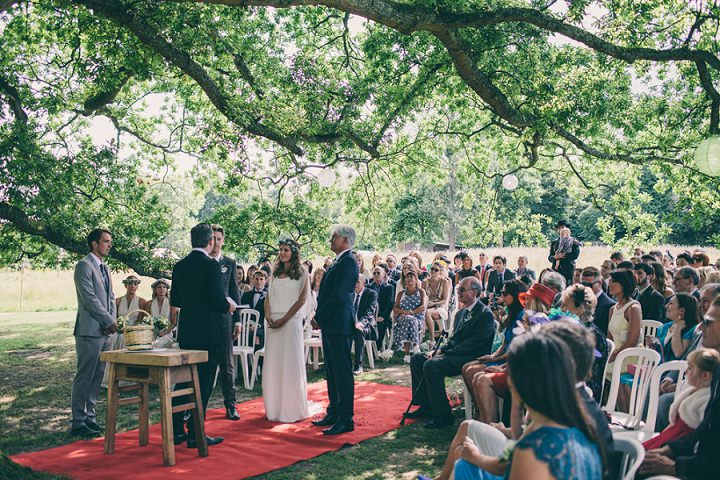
(473, 334)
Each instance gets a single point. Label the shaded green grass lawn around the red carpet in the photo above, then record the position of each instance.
(37, 364)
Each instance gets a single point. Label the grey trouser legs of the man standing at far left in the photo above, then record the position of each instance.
(88, 351)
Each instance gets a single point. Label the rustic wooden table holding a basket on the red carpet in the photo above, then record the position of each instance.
(161, 367)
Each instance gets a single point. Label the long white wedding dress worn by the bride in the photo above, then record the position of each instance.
(284, 379)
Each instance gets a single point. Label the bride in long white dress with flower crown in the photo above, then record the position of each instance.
(284, 379)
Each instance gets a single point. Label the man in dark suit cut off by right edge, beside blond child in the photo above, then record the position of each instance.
(695, 456)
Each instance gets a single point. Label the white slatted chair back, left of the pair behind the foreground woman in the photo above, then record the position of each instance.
(645, 362)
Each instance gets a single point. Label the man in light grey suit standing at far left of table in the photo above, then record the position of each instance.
(94, 322)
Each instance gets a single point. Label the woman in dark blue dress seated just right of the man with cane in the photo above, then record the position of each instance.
(514, 313)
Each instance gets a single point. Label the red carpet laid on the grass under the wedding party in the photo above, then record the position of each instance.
(252, 445)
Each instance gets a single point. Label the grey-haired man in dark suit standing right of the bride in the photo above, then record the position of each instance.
(335, 317)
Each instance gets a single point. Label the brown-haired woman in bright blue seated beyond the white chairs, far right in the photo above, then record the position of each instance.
(675, 337)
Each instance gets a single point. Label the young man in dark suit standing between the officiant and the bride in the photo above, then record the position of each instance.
(228, 281)
